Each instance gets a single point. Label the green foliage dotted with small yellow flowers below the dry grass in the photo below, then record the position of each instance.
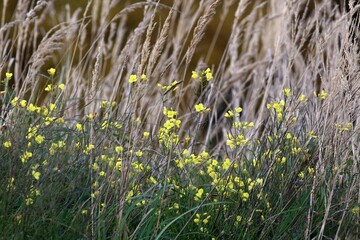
(96, 174)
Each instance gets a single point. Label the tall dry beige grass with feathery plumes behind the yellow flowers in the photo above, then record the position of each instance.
(254, 48)
